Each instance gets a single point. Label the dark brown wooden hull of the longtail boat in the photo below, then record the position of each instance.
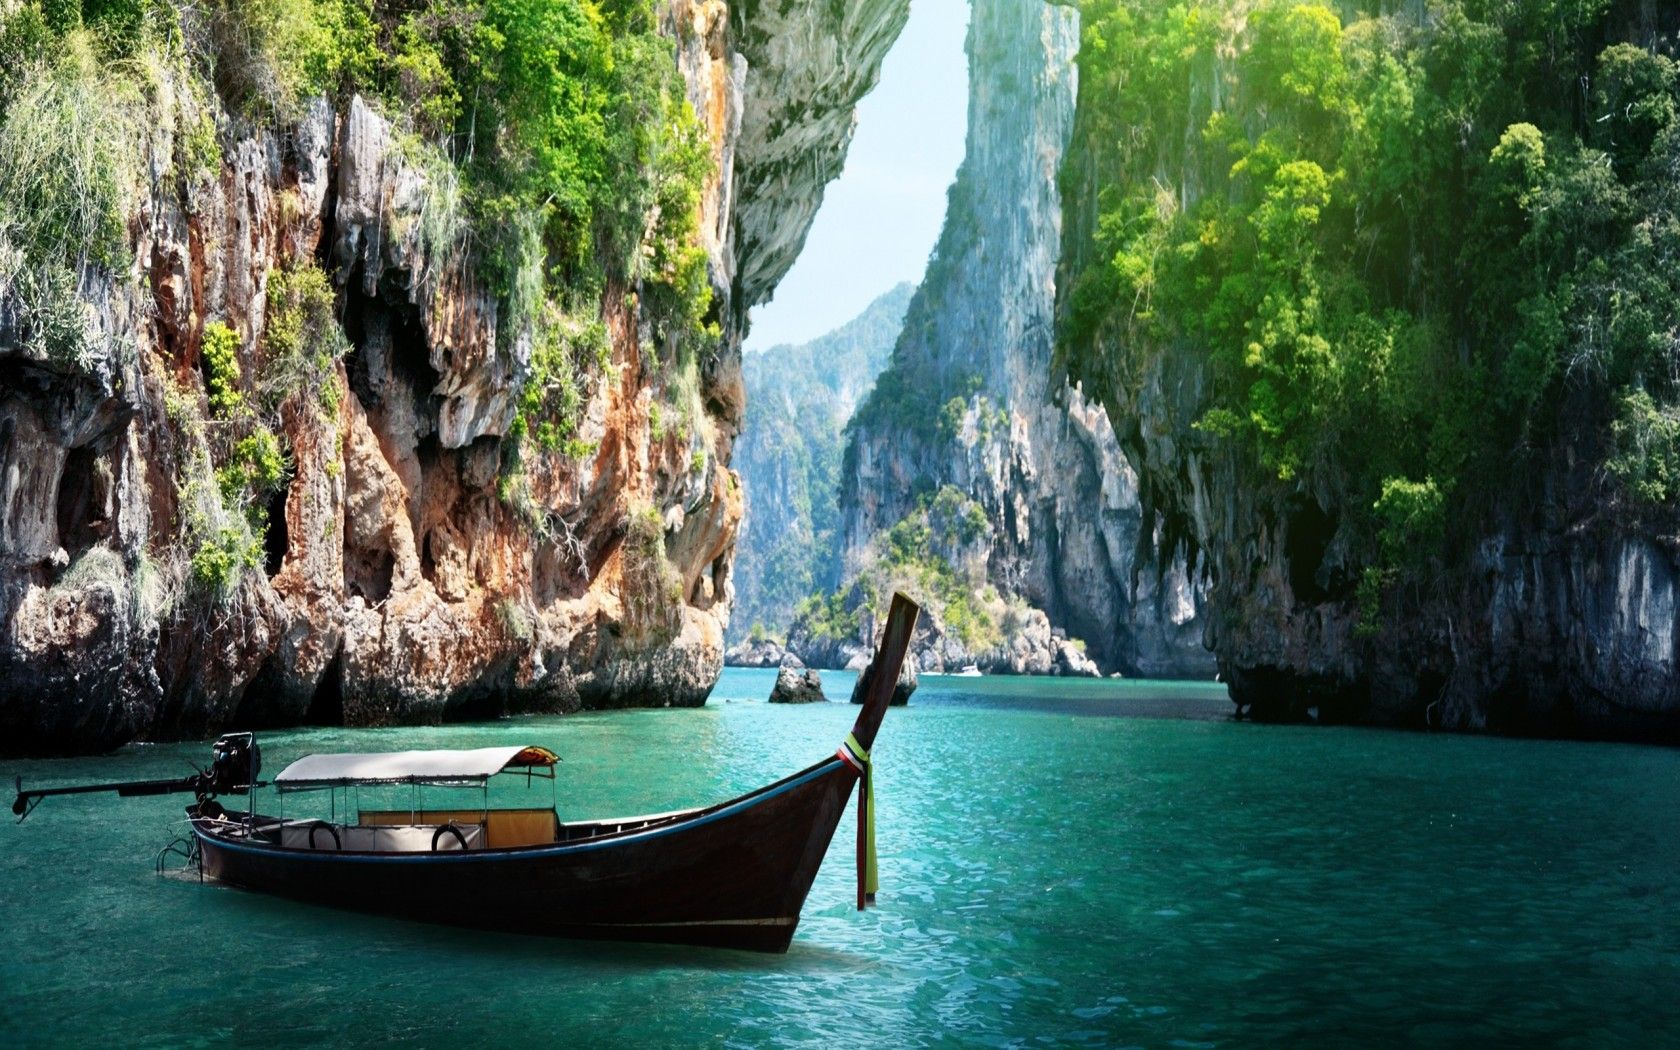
(730, 876)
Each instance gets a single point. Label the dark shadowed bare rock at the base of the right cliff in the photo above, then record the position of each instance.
(1562, 622)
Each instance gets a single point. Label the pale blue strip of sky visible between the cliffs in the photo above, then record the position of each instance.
(881, 218)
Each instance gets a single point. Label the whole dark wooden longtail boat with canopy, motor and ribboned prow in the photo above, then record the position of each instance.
(732, 874)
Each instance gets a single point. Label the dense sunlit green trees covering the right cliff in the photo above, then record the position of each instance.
(1409, 255)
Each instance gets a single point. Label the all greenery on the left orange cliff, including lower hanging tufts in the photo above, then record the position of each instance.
(562, 164)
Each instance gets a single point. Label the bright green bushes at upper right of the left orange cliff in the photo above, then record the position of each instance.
(579, 130)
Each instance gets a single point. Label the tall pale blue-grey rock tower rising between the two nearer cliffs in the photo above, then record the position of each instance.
(969, 401)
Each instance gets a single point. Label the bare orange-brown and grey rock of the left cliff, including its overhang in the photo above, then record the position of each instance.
(402, 579)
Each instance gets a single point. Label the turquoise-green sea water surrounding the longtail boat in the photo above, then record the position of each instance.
(1056, 871)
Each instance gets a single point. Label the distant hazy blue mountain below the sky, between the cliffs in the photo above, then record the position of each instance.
(789, 458)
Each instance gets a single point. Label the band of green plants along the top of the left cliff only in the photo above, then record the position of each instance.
(580, 162)
